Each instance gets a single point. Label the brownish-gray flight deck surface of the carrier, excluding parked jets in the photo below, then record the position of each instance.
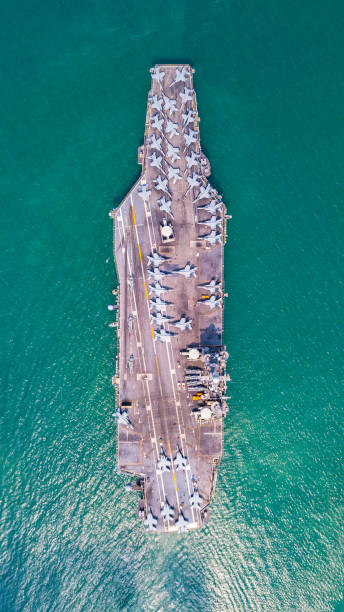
(160, 408)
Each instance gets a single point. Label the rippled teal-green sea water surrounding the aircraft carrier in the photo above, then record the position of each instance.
(269, 84)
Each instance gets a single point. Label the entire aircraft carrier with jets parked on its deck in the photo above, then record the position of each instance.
(169, 233)
